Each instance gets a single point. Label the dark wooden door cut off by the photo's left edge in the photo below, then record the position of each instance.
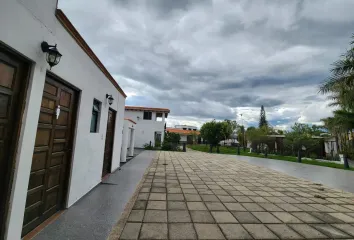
(13, 78)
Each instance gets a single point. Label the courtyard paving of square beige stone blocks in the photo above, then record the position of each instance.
(197, 195)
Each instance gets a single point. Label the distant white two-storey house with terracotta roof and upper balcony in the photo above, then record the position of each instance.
(150, 124)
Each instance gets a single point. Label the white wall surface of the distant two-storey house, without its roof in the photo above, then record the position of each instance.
(145, 129)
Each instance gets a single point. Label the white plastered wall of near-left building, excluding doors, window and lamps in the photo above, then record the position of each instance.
(25, 24)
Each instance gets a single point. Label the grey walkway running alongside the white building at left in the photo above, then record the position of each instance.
(93, 216)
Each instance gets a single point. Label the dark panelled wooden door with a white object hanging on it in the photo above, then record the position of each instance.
(52, 152)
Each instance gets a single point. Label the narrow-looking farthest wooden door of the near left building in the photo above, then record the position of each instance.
(108, 148)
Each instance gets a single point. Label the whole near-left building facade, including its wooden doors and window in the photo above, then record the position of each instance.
(60, 128)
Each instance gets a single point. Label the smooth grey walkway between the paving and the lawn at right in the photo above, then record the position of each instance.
(336, 178)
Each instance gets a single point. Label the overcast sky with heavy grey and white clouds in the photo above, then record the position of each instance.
(207, 59)
